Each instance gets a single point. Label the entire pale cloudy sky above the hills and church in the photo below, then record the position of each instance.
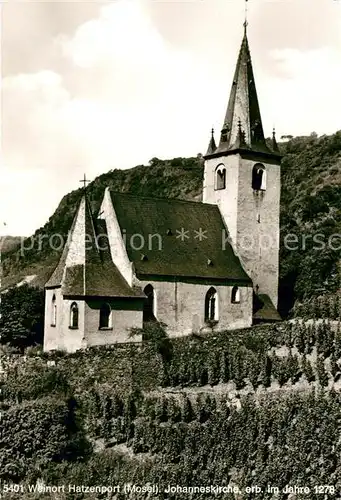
(88, 86)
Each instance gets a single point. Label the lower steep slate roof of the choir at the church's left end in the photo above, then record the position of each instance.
(99, 276)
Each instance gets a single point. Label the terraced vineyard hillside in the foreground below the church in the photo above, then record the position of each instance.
(247, 410)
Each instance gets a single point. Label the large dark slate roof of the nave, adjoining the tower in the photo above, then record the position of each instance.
(166, 254)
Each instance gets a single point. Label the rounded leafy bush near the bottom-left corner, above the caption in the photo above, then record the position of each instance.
(36, 433)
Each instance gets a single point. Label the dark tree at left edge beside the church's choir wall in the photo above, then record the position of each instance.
(22, 316)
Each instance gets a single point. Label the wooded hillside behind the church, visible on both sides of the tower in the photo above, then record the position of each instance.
(310, 206)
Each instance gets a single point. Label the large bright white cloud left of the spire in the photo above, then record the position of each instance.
(127, 97)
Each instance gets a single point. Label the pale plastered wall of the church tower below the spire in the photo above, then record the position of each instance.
(256, 243)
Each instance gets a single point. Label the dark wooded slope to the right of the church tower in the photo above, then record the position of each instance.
(311, 210)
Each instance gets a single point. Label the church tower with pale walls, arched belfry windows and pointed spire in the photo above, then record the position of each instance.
(242, 177)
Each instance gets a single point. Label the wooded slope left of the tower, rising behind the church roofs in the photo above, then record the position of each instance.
(177, 178)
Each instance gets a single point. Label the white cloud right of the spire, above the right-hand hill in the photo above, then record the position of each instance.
(303, 90)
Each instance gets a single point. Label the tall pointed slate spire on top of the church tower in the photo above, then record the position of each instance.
(243, 104)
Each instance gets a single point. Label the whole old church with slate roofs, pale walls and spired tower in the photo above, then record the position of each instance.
(196, 267)
